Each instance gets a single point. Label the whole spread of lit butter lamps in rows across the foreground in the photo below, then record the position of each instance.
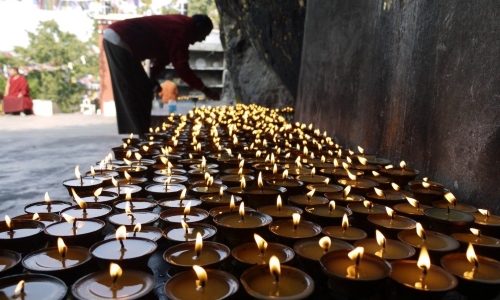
(241, 203)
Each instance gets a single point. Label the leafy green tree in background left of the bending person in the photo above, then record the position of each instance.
(58, 60)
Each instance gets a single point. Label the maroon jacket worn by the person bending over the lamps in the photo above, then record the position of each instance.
(163, 39)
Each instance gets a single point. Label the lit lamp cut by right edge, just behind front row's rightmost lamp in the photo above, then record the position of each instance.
(485, 245)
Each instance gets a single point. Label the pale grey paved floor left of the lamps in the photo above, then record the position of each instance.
(38, 153)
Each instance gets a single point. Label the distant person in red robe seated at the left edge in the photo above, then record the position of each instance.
(17, 94)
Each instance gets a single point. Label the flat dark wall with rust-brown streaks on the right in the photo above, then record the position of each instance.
(414, 80)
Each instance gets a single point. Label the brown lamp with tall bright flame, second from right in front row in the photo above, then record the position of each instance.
(421, 278)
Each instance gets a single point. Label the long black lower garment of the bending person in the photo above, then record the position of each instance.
(132, 90)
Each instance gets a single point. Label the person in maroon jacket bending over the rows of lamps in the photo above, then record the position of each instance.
(164, 39)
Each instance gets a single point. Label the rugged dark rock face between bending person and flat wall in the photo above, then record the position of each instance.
(263, 41)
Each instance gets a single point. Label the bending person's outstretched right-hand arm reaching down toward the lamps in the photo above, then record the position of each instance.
(180, 61)
